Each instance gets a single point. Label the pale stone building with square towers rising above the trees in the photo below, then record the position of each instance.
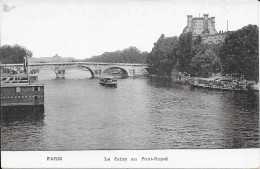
(205, 27)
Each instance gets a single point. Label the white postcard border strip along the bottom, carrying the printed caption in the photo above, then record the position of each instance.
(178, 158)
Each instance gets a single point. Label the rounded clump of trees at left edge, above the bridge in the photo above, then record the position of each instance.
(13, 54)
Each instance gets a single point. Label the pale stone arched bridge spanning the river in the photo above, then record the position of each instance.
(96, 69)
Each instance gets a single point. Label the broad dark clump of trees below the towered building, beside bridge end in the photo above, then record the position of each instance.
(183, 55)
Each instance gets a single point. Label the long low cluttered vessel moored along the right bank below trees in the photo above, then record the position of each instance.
(221, 83)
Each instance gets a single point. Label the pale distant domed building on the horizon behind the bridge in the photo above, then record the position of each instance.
(54, 59)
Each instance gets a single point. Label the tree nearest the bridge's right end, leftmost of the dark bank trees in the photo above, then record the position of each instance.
(161, 58)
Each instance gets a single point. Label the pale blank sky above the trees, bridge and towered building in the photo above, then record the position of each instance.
(86, 28)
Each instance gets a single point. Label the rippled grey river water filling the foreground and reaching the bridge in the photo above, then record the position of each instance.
(140, 113)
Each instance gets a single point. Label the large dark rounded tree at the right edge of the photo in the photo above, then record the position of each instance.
(239, 53)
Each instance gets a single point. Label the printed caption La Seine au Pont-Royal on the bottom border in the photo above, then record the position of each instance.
(136, 159)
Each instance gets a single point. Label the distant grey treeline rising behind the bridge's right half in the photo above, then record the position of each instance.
(129, 55)
